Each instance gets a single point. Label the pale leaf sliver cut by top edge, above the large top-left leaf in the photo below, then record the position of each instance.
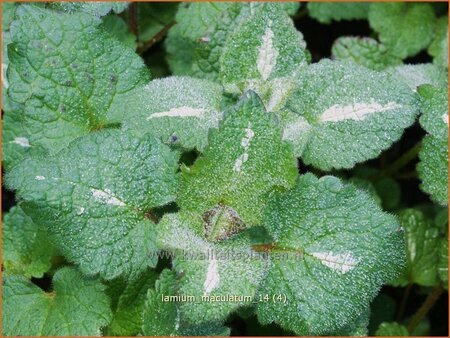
(95, 8)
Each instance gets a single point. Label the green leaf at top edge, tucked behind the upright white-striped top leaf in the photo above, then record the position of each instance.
(196, 42)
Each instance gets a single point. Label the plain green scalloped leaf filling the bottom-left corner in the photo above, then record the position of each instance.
(76, 307)
